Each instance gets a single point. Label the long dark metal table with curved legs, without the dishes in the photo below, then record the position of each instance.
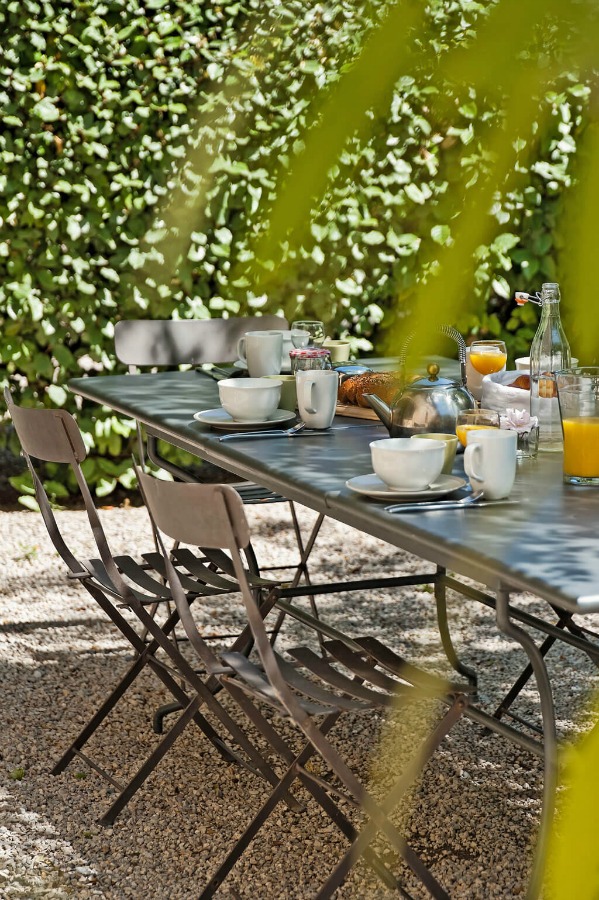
(547, 544)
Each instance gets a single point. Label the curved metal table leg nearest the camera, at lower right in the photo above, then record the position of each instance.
(509, 629)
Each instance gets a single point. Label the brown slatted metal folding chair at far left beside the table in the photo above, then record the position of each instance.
(122, 585)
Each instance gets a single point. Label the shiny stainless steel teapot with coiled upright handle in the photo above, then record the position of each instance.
(429, 404)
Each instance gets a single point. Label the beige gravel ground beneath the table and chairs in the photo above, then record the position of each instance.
(472, 816)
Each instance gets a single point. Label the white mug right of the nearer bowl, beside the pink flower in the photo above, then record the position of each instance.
(490, 461)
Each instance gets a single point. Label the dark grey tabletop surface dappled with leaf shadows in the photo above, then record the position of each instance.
(548, 543)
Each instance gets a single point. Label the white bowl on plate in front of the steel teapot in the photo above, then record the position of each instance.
(407, 465)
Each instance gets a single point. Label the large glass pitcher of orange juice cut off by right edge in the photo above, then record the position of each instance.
(578, 396)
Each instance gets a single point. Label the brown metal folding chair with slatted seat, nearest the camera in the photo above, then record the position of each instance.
(359, 675)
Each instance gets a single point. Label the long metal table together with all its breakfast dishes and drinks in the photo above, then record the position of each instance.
(418, 462)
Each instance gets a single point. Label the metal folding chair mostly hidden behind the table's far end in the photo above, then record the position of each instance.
(147, 343)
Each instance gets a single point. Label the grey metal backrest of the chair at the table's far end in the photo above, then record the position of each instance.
(167, 342)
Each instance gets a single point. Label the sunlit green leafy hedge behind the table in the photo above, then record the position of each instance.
(108, 107)
